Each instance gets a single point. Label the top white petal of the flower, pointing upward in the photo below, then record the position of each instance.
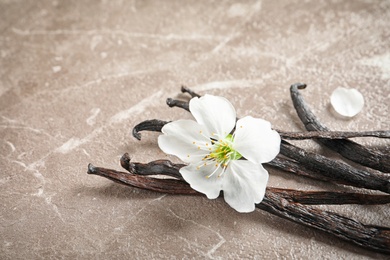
(216, 113)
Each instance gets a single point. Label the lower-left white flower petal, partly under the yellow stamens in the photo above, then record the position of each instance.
(197, 178)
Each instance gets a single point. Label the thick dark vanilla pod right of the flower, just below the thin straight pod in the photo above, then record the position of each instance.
(335, 170)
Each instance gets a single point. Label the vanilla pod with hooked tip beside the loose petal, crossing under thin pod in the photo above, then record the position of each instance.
(351, 150)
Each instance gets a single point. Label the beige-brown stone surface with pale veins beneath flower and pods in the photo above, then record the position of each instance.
(76, 76)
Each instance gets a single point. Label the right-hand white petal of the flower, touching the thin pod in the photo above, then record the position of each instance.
(255, 140)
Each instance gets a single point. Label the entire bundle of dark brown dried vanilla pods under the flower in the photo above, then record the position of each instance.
(290, 204)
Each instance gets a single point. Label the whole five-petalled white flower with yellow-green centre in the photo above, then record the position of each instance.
(219, 160)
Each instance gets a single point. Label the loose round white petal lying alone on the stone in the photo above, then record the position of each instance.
(347, 102)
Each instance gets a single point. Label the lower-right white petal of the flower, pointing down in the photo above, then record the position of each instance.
(244, 185)
